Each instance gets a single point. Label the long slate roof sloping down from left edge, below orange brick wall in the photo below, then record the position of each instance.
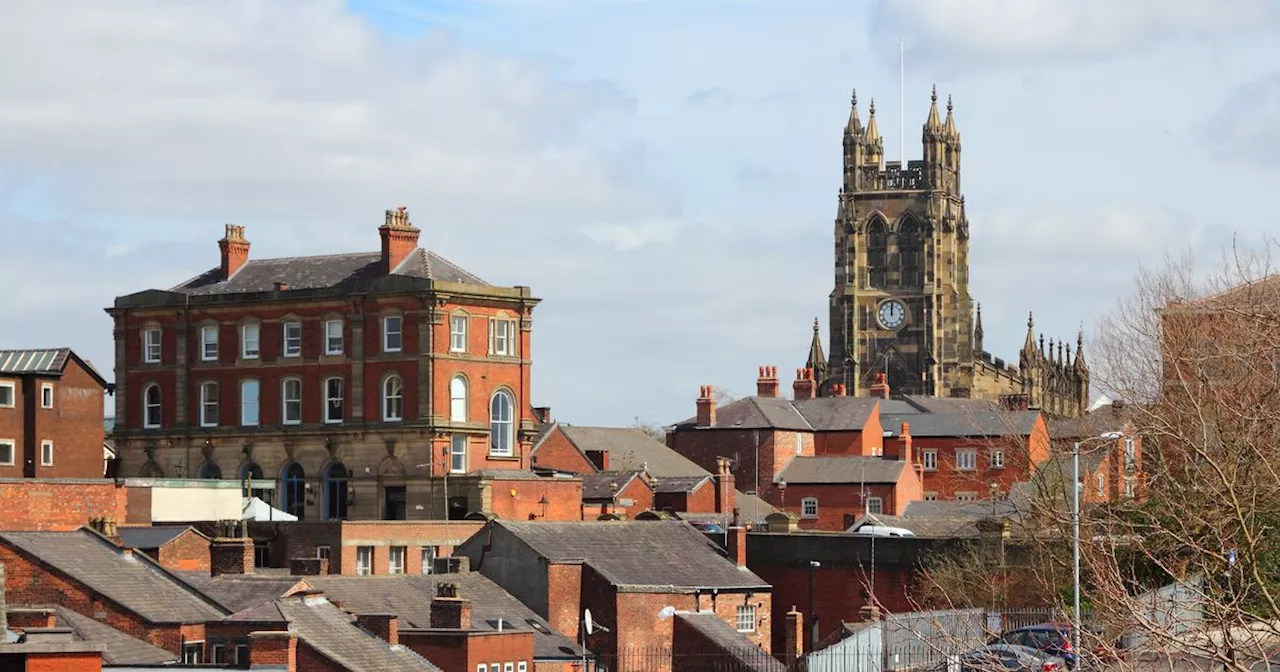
(135, 583)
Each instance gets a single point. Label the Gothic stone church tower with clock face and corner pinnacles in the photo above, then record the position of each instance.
(900, 303)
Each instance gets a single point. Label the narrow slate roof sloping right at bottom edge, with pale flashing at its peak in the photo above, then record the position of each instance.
(331, 633)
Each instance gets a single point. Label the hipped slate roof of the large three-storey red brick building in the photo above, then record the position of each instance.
(348, 272)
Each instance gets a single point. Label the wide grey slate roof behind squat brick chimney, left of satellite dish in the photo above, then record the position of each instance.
(410, 600)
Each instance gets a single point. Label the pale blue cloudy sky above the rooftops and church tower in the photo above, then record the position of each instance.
(662, 173)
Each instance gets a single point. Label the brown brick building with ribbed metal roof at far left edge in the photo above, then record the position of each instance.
(51, 415)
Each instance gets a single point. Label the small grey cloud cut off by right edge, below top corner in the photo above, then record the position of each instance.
(1247, 126)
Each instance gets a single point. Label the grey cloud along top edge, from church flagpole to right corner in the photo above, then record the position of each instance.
(995, 31)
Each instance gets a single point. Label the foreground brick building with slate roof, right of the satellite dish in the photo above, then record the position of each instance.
(633, 577)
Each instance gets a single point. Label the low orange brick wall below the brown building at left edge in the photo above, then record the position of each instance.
(54, 506)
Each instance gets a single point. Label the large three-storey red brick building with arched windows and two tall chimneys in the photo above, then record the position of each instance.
(346, 381)
